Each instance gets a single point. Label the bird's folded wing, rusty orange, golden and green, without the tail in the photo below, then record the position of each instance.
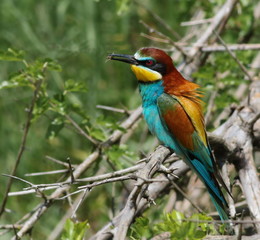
(183, 118)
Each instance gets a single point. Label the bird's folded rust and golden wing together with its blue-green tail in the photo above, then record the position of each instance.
(182, 117)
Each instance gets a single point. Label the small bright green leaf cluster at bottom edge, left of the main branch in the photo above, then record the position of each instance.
(74, 231)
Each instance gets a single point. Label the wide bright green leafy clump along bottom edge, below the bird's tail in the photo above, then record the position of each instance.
(179, 227)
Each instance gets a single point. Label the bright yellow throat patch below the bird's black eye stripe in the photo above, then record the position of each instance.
(145, 75)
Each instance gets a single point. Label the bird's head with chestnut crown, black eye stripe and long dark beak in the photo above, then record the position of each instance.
(148, 64)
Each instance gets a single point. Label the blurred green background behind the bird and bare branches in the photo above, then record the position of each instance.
(79, 35)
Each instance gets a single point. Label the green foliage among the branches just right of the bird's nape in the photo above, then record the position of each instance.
(222, 74)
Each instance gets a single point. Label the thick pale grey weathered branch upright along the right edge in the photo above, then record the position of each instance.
(237, 131)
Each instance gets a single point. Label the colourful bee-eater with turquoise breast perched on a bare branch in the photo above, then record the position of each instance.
(172, 109)
